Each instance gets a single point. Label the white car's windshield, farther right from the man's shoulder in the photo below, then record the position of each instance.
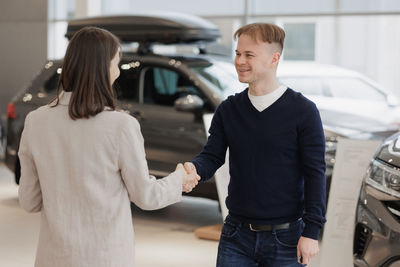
(354, 88)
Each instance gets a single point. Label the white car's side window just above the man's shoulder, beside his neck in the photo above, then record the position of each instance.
(305, 85)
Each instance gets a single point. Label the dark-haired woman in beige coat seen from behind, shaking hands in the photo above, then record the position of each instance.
(82, 163)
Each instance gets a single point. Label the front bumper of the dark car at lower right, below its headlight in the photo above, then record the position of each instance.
(377, 232)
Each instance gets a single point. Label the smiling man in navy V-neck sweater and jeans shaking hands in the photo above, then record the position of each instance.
(276, 194)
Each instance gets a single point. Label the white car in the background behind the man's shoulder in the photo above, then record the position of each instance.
(341, 90)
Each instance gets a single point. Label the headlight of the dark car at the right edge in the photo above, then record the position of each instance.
(384, 178)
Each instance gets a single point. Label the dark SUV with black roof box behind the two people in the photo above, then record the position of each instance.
(167, 94)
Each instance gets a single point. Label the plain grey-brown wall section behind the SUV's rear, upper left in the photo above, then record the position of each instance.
(23, 45)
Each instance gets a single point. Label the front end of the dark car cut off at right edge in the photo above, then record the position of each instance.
(377, 232)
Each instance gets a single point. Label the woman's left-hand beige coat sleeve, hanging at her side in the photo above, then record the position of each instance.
(29, 192)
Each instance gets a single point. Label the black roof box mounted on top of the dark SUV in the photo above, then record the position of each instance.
(165, 28)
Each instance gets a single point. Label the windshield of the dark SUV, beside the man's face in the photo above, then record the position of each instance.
(221, 75)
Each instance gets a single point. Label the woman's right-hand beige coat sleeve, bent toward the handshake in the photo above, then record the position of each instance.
(144, 190)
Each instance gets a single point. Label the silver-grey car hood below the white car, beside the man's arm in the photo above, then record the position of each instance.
(355, 126)
